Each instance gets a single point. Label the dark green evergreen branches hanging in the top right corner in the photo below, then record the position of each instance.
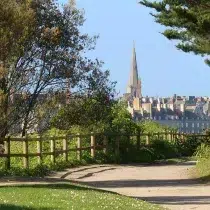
(188, 22)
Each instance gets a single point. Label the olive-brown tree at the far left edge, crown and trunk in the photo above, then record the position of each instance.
(16, 26)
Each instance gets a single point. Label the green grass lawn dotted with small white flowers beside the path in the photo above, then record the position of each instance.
(64, 196)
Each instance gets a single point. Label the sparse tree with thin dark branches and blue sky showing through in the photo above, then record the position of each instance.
(55, 53)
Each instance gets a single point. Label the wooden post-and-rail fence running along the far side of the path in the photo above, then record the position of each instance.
(141, 139)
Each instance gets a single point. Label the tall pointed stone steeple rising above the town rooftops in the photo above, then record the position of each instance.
(134, 84)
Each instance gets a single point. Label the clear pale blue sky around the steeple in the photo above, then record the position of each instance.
(164, 70)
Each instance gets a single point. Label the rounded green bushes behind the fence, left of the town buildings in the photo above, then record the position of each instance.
(95, 114)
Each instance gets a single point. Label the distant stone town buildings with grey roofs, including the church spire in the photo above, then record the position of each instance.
(188, 114)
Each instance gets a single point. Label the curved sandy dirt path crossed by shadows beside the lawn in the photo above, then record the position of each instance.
(167, 185)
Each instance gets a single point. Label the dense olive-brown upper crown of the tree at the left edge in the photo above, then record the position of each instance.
(16, 26)
